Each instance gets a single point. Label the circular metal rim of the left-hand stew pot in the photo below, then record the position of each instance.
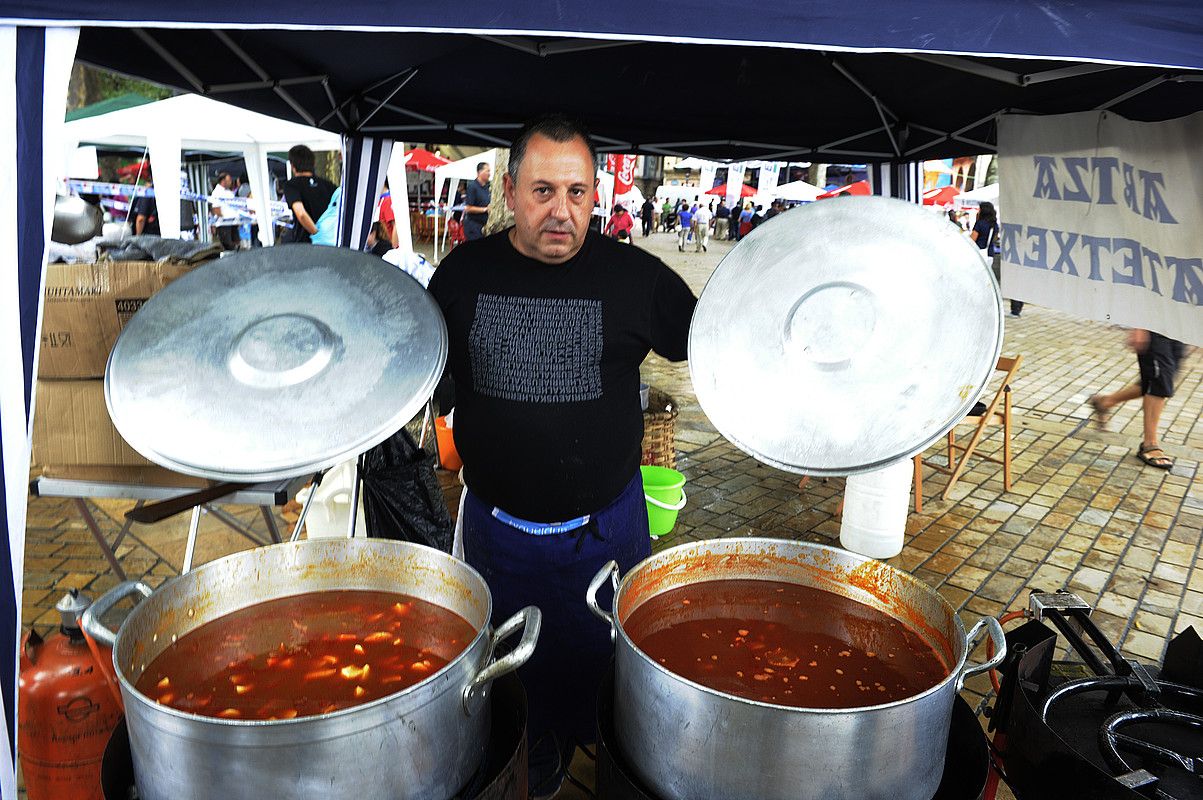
(134, 694)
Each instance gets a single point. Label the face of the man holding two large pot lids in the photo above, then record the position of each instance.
(552, 200)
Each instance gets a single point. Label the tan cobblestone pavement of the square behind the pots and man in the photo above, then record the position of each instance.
(1083, 513)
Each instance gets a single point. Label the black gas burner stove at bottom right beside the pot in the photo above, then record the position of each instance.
(1103, 727)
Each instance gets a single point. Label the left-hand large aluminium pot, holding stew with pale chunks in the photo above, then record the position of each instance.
(420, 744)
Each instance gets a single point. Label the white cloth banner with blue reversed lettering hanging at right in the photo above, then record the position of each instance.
(1104, 218)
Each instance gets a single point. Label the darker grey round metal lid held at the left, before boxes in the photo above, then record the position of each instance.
(275, 363)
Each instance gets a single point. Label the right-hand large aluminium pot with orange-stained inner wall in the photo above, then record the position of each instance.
(689, 743)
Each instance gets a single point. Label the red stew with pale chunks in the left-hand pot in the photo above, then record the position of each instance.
(306, 655)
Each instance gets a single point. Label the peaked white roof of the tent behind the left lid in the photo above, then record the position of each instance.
(200, 125)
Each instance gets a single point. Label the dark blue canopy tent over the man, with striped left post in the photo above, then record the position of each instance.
(803, 80)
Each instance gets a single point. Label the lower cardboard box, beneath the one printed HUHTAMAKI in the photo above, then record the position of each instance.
(72, 428)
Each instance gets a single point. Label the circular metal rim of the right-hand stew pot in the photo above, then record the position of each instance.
(625, 584)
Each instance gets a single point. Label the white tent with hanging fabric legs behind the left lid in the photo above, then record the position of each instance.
(197, 123)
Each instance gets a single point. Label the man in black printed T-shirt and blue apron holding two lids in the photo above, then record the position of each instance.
(548, 327)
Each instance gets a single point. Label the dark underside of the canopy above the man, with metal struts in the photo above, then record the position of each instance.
(763, 103)
